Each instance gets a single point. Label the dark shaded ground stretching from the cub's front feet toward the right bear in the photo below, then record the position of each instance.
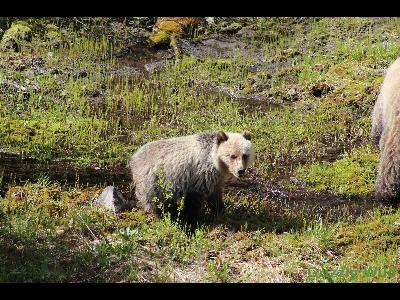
(286, 210)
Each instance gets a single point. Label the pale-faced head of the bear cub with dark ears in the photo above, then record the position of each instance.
(235, 152)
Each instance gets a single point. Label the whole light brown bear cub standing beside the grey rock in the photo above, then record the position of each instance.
(195, 167)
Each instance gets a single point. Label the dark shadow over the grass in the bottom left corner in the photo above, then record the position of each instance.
(26, 259)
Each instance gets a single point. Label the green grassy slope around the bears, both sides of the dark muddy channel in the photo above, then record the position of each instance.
(325, 74)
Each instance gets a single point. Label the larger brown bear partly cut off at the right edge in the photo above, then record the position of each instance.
(386, 134)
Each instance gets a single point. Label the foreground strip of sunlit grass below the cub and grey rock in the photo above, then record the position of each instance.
(54, 234)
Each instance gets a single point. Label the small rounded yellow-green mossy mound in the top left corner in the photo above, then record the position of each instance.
(16, 35)
